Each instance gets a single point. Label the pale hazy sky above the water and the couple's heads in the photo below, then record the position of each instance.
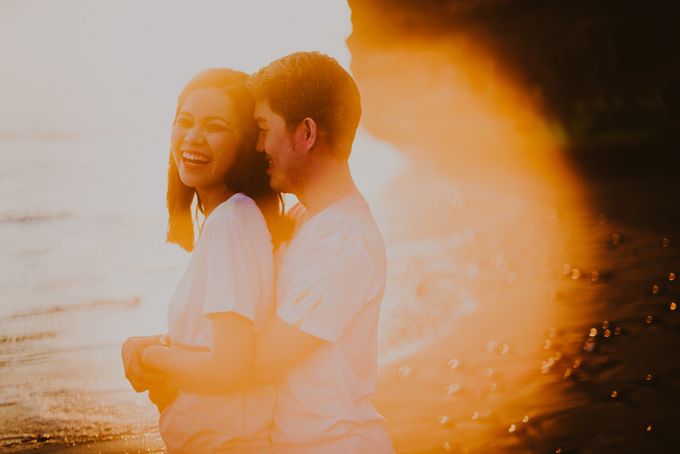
(80, 66)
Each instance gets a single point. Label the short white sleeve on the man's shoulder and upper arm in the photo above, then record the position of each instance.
(326, 286)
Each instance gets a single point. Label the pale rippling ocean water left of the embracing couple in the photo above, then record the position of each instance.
(84, 266)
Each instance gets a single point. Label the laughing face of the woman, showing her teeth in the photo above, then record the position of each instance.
(205, 139)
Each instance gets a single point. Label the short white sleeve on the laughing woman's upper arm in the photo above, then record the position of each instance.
(228, 259)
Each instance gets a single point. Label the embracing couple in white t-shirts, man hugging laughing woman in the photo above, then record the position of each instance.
(272, 337)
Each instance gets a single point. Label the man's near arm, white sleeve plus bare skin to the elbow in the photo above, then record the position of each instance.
(320, 299)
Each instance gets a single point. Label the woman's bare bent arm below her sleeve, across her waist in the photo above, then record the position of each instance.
(227, 365)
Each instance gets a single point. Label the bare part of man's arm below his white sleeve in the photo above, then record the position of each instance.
(279, 347)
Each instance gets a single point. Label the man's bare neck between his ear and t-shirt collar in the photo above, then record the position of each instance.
(327, 183)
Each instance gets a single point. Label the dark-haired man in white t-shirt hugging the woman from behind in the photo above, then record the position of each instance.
(321, 343)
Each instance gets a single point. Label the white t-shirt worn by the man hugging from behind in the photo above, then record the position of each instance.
(330, 284)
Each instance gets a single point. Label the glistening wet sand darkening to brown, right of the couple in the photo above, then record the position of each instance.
(609, 380)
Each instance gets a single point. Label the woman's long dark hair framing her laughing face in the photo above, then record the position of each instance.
(248, 173)
